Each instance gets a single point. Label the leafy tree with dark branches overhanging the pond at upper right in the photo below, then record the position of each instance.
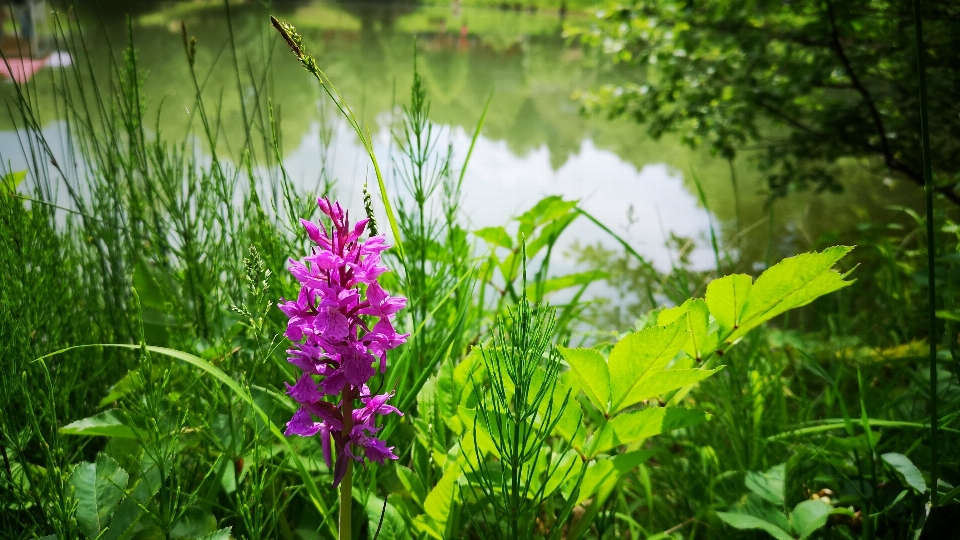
(808, 82)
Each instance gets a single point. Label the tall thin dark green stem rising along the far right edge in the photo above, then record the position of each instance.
(931, 282)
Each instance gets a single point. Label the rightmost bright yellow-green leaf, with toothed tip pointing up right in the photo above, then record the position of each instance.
(789, 284)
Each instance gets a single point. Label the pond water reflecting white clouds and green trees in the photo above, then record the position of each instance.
(534, 141)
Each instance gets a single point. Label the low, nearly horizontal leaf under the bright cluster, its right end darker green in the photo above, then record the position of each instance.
(634, 426)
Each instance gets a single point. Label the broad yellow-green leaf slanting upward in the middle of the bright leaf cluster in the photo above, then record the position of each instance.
(640, 355)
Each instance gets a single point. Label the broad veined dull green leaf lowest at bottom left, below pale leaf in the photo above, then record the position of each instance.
(98, 487)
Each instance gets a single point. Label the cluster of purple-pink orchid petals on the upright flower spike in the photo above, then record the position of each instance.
(335, 342)
